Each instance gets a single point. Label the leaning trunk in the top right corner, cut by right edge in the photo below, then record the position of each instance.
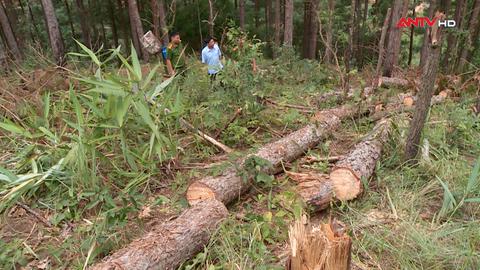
(472, 38)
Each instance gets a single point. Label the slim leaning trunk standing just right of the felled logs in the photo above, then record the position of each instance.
(426, 91)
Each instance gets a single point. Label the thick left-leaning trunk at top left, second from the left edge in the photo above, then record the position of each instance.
(54, 35)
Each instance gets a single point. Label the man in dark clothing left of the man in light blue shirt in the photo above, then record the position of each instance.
(175, 58)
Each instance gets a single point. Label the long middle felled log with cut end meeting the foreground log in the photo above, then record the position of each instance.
(228, 186)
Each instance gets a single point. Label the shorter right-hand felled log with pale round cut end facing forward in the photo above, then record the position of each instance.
(359, 163)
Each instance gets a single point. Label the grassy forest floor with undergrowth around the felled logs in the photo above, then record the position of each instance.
(408, 217)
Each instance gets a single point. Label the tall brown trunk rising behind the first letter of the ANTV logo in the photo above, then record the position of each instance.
(394, 37)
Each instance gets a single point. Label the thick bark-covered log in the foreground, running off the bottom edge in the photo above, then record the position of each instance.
(168, 245)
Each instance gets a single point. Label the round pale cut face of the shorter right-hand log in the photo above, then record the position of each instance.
(345, 184)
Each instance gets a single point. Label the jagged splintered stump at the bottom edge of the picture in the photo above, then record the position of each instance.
(324, 247)
